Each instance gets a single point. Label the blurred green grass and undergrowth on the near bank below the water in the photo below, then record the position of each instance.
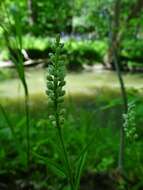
(79, 125)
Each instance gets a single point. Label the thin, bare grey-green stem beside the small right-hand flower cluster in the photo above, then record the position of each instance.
(114, 48)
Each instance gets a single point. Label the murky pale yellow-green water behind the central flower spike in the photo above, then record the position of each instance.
(83, 83)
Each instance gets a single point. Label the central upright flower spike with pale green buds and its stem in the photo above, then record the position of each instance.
(55, 92)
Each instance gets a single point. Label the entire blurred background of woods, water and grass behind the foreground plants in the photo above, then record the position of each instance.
(103, 42)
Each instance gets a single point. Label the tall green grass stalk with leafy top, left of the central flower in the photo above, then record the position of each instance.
(19, 65)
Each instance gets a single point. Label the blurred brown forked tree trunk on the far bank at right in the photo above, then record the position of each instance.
(116, 35)
